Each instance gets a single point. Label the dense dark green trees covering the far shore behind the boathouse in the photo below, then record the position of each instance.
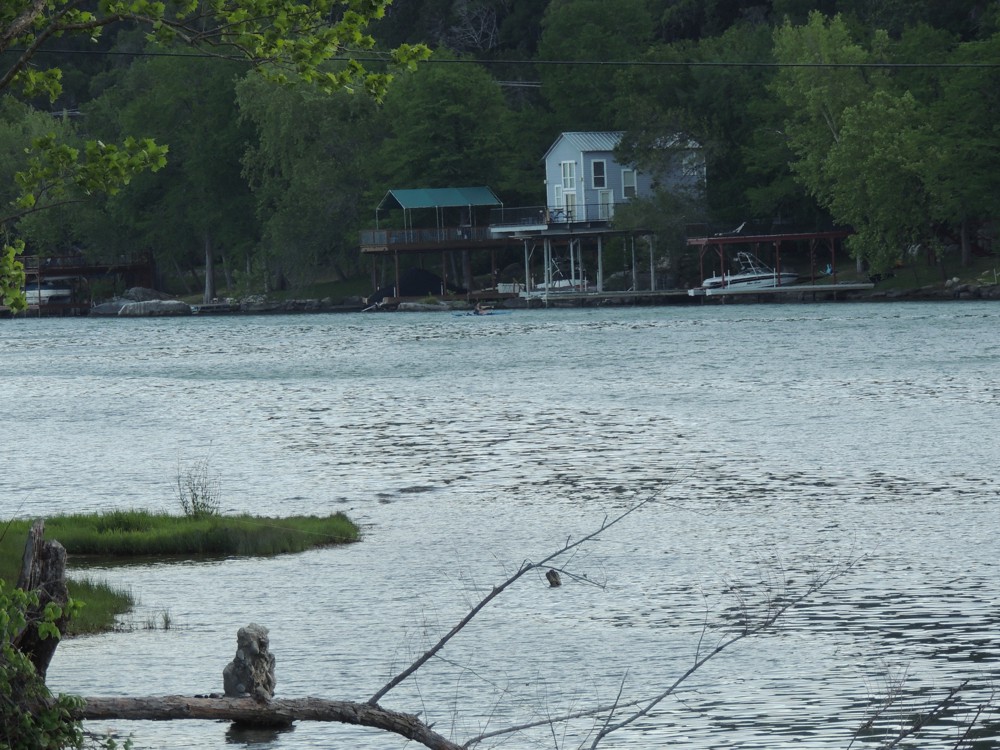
(874, 114)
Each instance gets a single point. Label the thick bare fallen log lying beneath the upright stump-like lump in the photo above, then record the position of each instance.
(271, 713)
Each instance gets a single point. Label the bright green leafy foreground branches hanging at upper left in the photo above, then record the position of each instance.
(315, 41)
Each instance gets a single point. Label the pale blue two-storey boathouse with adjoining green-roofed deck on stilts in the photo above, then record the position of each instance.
(561, 243)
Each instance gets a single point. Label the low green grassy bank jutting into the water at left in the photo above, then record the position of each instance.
(126, 535)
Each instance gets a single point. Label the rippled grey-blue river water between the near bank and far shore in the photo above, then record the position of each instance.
(776, 443)
